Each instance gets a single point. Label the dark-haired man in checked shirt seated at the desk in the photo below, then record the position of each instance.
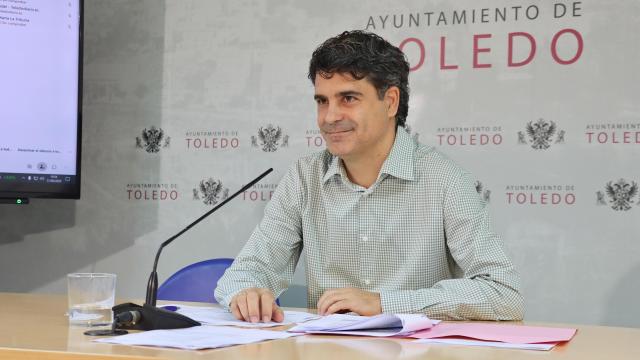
(386, 224)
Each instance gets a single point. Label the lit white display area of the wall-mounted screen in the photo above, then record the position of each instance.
(39, 86)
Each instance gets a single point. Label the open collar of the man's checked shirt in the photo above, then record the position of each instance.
(399, 162)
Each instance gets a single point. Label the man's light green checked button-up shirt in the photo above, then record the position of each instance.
(420, 236)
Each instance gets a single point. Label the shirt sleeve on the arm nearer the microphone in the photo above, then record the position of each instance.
(269, 257)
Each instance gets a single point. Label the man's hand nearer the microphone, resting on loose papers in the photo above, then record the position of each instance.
(255, 305)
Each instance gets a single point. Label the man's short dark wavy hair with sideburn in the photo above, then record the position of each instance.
(365, 55)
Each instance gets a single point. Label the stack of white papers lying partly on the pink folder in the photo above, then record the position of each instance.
(379, 325)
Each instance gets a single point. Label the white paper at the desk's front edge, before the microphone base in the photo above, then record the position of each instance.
(197, 337)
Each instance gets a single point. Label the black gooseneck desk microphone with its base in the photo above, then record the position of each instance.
(148, 316)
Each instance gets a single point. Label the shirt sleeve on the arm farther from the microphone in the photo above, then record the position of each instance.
(487, 286)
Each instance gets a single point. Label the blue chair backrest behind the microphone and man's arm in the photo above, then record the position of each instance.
(195, 282)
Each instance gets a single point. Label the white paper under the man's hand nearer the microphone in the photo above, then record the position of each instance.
(219, 316)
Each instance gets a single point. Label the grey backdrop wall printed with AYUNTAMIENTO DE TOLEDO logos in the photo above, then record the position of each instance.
(537, 98)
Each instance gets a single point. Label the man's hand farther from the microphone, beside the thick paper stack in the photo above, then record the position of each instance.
(349, 300)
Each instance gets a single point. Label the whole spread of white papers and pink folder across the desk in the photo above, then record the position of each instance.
(416, 326)
